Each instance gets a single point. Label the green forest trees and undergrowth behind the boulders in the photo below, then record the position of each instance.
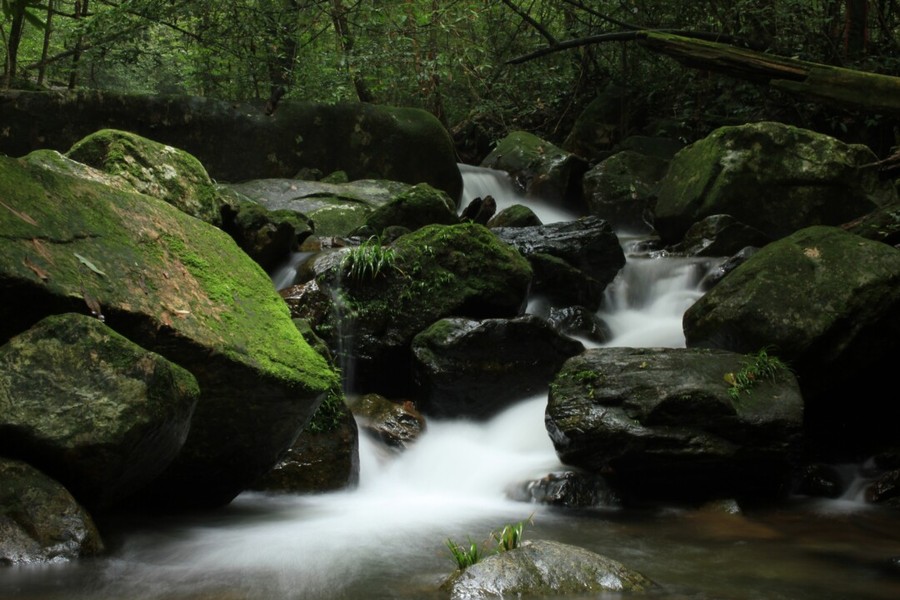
(458, 58)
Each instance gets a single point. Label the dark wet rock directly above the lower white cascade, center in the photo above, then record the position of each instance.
(464, 368)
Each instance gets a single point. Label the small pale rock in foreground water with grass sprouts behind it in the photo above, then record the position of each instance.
(544, 568)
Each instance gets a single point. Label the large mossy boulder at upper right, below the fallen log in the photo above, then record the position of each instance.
(770, 176)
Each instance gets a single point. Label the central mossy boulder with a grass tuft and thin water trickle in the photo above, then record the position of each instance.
(436, 271)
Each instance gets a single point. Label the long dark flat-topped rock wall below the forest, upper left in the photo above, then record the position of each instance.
(239, 142)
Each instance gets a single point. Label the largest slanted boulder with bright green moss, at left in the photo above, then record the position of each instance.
(176, 286)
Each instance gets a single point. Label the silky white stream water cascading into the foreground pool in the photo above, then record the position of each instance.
(387, 538)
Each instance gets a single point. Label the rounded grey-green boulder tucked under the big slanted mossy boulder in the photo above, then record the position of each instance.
(102, 415)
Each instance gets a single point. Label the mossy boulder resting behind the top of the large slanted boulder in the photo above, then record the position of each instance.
(151, 168)
